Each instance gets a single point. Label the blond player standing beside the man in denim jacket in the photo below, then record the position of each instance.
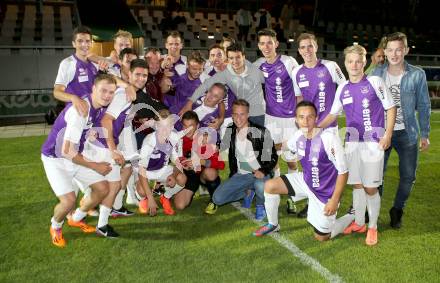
(364, 101)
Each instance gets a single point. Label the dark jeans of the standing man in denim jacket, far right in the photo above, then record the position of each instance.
(408, 155)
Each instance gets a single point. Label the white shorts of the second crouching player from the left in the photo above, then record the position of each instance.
(102, 154)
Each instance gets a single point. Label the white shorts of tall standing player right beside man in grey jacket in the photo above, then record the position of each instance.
(280, 128)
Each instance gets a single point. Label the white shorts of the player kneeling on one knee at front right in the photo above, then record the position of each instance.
(315, 213)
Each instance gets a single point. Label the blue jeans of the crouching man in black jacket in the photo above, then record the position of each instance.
(235, 188)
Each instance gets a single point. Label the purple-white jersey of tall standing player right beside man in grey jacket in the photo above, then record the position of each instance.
(280, 97)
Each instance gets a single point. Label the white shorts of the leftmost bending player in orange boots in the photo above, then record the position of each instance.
(61, 171)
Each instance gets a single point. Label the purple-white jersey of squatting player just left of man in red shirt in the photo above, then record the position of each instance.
(155, 156)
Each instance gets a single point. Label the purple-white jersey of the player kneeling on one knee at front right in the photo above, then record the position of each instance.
(322, 159)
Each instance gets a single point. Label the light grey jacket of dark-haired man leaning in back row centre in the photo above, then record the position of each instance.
(247, 85)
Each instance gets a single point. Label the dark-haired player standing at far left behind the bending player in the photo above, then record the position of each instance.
(76, 73)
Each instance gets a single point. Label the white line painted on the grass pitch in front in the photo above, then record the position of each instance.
(302, 256)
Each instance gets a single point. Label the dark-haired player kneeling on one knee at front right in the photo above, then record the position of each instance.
(322, 181)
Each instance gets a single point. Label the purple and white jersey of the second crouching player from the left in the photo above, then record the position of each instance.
(119, 109)
